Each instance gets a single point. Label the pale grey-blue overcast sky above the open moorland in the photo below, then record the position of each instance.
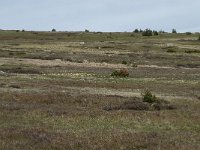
(100, 15)
